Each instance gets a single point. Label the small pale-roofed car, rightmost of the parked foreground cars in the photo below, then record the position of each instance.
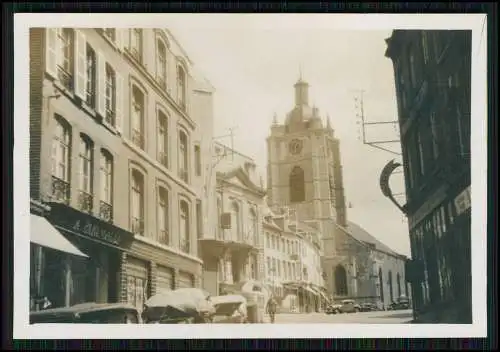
(230, 309)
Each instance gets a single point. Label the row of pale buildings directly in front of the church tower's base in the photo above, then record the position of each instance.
(293, 262)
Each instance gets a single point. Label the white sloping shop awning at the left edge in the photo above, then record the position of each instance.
(46, 235)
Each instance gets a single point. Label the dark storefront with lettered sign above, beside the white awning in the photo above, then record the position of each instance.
(97, 277)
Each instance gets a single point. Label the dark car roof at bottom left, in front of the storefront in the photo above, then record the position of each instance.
(89, 313)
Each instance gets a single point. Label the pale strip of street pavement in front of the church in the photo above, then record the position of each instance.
(384, 317)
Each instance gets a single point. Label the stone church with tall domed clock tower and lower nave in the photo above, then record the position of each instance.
(304, 174)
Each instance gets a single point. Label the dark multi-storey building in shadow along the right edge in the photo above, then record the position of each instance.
(433, 85)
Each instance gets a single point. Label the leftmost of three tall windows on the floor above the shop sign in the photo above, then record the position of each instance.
(61, 148)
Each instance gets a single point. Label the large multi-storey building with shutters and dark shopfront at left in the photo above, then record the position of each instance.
(115, 151)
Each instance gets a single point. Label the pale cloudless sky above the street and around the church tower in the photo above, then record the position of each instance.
(253, 64)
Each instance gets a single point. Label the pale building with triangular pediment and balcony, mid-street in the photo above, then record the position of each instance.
(233, 253)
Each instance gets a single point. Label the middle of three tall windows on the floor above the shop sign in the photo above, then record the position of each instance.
(86, 168)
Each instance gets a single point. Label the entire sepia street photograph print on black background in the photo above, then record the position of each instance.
(230, 169)
